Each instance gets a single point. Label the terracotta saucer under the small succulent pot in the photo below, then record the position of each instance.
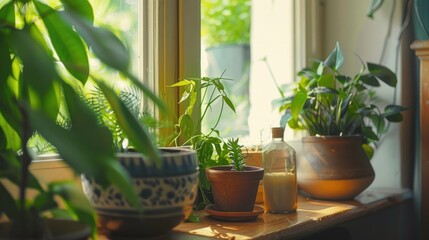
(234, 216)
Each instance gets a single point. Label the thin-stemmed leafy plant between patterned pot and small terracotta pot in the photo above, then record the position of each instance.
(211, 148)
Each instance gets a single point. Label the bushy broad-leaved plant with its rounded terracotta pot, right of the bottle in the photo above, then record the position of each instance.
(343, 122)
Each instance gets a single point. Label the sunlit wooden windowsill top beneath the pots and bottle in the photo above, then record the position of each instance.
(312, 216)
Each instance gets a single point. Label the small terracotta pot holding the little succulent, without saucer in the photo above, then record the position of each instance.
(234, 191)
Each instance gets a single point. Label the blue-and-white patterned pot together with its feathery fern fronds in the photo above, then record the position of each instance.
(166, 192)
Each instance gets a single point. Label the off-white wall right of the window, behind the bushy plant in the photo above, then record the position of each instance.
(346, 22)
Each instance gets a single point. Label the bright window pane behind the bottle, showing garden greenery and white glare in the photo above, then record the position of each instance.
(249, 42)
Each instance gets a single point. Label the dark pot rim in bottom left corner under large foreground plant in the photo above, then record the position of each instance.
(56, 229)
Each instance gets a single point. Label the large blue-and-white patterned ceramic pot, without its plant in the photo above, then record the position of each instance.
(167, 194)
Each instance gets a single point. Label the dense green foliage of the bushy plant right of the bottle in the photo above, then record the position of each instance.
(325, 102)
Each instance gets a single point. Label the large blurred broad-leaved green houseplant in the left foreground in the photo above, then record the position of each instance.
(40, 74)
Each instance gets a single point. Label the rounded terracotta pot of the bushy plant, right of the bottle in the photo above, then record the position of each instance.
(333, 167)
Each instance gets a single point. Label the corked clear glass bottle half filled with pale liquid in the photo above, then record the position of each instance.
(280, 185)
